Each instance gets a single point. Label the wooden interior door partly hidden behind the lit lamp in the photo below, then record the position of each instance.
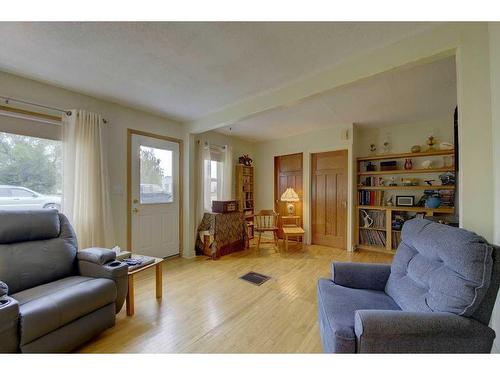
(288, 172)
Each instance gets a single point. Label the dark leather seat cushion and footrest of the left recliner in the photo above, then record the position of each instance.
(48, 307)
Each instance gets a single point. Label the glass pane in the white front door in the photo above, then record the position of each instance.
(156, 175)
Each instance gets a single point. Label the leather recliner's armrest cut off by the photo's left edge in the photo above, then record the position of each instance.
(9, 317)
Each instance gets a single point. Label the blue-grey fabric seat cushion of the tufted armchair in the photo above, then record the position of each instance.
(336, 307)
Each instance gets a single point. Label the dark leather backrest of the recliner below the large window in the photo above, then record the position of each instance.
(24, 265)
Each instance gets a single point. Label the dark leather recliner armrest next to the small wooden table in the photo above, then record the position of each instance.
(102, 263)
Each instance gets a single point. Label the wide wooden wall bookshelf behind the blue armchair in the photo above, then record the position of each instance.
(380, 236)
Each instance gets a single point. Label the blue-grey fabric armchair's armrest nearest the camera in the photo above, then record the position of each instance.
(386, 331)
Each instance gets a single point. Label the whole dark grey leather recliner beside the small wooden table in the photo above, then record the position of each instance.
(52, 297)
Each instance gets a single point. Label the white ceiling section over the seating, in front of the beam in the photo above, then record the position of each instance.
(185, 70)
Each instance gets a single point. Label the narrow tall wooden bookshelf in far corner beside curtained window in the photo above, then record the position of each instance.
(245, 194)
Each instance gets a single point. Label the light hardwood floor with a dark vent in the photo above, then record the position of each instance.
(207, 309)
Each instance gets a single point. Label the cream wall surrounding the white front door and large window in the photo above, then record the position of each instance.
(119, 119)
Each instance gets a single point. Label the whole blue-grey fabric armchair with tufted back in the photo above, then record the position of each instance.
(436, 297)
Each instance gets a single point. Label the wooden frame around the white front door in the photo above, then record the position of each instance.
(130, 133)
